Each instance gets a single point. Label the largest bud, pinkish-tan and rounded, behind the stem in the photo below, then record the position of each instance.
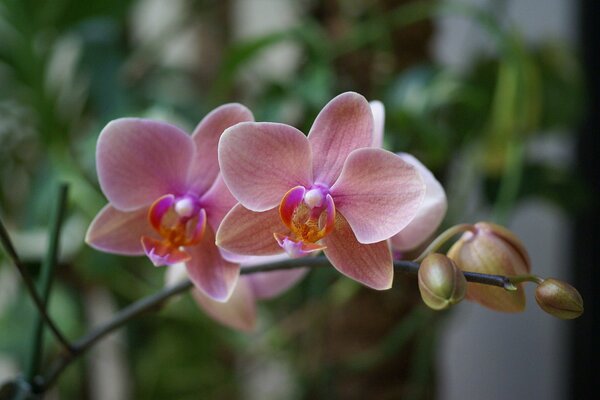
(491, 249)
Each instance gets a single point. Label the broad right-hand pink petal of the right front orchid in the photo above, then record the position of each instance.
(378, 193)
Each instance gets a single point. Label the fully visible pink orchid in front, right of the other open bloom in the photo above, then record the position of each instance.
(329, 191)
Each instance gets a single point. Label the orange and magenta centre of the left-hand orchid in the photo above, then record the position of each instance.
(180, 222)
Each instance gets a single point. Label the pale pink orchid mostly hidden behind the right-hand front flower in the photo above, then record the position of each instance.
(433, 209)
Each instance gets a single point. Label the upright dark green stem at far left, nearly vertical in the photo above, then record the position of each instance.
(45, 280)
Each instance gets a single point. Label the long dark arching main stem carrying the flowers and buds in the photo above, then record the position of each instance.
(156, 300)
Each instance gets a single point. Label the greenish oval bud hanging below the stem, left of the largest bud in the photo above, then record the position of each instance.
(441, 283)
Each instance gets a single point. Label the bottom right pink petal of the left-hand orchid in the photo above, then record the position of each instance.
(209, 272)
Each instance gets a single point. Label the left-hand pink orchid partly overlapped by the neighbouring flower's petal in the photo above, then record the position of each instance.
(166, 196)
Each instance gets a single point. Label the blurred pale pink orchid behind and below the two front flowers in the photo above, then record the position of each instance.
(240, 311)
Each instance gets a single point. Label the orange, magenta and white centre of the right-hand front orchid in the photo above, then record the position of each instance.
(309, 215)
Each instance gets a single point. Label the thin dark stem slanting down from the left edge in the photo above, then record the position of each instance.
(30, 286)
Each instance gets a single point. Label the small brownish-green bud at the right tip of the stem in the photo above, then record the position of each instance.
(560, 299)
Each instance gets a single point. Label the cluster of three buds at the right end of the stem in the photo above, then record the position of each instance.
(487, 248)
